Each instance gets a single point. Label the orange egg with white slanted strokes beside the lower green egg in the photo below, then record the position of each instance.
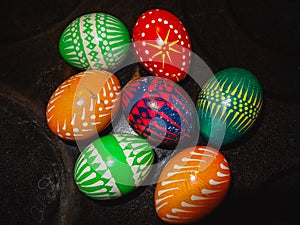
(192, 185)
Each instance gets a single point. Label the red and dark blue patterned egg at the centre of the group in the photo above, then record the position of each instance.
(159, 109)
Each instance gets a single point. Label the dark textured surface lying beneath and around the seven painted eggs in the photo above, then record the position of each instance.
(36, 167)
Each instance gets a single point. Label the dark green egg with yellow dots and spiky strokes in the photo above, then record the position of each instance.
(228, 105)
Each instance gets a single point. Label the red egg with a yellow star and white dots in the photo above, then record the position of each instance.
(162, 44)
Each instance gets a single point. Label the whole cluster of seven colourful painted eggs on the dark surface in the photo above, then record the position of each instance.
(194, 181)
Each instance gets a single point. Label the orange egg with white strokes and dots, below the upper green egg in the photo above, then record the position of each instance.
(83, 105)
